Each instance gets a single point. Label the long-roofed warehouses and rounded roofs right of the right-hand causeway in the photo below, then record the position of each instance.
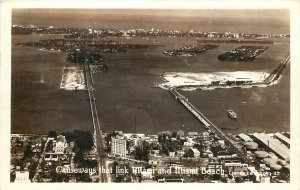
(269, 153)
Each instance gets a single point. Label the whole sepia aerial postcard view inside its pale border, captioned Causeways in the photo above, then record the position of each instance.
(150, 95)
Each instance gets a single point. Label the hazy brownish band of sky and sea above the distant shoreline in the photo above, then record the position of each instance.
(198, 19)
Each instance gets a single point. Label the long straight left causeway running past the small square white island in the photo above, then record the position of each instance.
(96, 124)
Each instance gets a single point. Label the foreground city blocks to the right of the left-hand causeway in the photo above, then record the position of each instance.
(199, 157)
